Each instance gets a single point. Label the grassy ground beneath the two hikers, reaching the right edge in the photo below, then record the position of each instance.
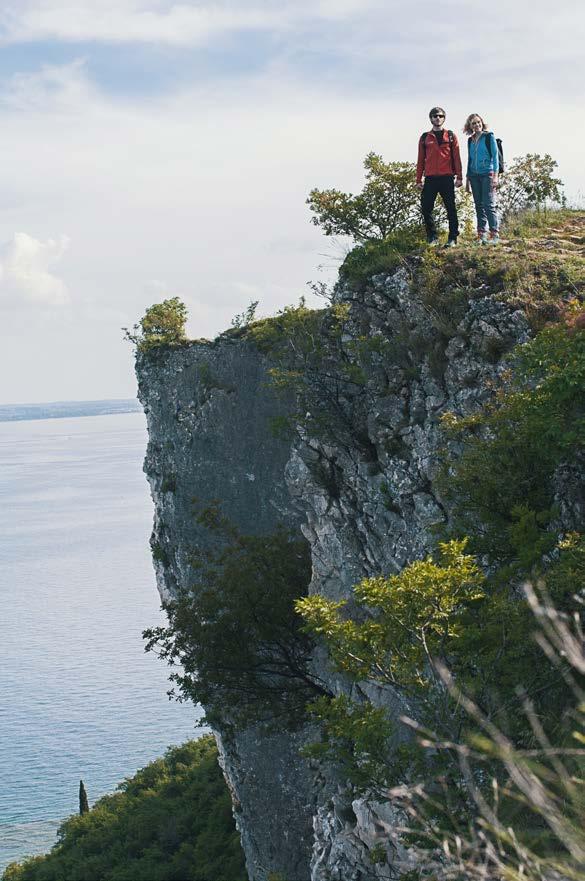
(538, 267)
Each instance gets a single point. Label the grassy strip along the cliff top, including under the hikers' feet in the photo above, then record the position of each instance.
(538, 266)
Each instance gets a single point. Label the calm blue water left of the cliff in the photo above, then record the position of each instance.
(79, 698)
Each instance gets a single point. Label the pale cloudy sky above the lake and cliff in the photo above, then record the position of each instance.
(153, 149)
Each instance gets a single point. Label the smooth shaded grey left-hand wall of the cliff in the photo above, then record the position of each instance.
(208, 408)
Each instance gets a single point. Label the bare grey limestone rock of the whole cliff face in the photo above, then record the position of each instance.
(364, 497)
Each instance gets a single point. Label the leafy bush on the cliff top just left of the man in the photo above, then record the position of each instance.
(389, 201)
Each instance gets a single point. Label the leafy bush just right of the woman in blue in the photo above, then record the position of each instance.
(529, 183)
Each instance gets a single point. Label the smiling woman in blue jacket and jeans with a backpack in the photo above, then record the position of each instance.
(482, 176)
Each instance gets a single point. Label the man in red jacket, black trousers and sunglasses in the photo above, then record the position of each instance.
(439, 162)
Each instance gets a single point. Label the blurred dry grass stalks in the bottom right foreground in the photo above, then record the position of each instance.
(527, 808)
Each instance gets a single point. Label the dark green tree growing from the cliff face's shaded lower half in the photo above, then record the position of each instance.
(235, 633)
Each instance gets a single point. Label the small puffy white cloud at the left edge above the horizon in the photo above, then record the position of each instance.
(25, 272)
